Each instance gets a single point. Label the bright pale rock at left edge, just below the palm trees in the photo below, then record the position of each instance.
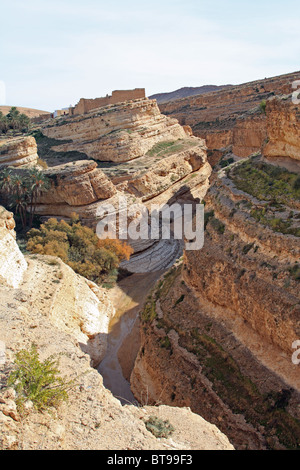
(12, 262)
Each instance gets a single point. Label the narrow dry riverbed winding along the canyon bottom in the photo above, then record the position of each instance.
(123, 339)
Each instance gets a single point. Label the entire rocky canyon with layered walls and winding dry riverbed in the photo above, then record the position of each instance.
(203, 338)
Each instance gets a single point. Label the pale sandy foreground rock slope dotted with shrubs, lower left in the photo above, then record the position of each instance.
(62, 314)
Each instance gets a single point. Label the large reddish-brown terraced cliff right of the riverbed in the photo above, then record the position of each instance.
(218, 330)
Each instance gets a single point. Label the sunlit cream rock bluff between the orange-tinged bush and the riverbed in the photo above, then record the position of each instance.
(72, 303)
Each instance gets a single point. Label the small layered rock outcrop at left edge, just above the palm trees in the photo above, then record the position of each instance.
(18, 152)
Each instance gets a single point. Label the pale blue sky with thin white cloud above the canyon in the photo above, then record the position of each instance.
(52, 53)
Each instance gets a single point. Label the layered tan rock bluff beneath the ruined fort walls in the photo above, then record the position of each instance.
(164, 164)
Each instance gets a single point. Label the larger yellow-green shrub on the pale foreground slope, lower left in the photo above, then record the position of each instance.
(39, 382)
